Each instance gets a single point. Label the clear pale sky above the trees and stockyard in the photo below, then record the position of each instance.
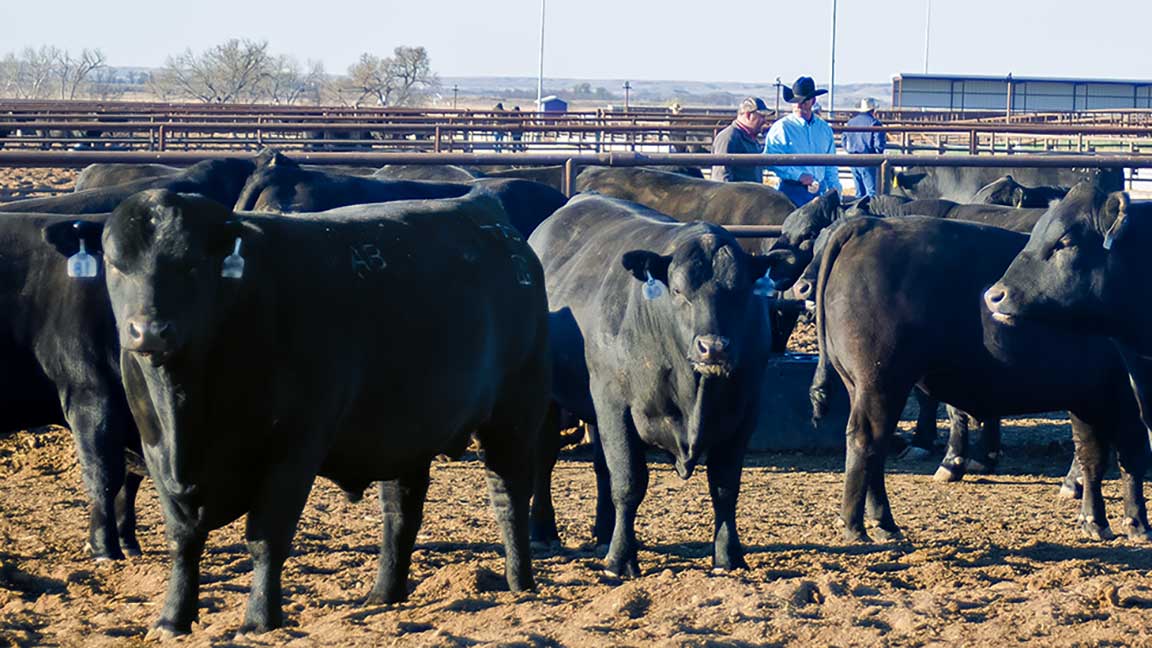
(631, 40)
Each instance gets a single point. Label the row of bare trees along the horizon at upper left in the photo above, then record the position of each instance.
(238, 71)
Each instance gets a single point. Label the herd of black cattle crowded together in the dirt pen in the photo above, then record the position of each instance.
(247, 325)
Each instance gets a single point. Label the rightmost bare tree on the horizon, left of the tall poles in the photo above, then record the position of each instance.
(400, 80)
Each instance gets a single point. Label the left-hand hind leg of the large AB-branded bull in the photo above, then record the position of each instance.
(403, 504)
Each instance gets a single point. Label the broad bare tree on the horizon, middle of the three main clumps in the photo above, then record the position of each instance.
(229, 73)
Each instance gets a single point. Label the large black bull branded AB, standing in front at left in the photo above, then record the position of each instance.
(357, 318)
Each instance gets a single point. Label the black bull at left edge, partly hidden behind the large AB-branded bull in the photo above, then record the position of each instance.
(60, 365)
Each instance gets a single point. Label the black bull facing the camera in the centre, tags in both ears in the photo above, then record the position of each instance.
(680, 372)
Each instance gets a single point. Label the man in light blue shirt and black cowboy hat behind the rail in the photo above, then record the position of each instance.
(799, 134)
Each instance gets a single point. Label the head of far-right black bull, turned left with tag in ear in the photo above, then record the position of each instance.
(1070, 272)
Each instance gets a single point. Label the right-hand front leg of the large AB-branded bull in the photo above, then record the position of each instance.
(271, 526)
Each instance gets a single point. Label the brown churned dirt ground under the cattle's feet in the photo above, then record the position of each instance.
(989, 562)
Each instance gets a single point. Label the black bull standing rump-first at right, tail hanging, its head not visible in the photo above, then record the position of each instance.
(924, 283)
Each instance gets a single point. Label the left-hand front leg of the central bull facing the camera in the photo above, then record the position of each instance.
(628, 476)
